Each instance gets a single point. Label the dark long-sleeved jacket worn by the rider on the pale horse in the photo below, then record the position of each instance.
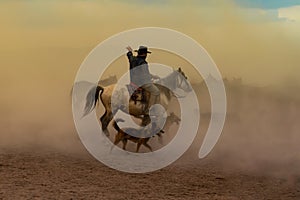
(140, 75)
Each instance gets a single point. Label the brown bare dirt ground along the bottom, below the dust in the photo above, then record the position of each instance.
(49, 174)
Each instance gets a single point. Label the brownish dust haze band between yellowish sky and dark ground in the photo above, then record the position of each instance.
(261, 132)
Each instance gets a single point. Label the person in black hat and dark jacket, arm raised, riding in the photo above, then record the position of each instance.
(140, 75)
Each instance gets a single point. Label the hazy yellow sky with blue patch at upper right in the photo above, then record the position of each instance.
(45, 42)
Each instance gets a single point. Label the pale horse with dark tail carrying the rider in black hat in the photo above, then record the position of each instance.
(166, 85)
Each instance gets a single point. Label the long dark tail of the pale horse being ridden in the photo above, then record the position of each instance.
(92, 98)
